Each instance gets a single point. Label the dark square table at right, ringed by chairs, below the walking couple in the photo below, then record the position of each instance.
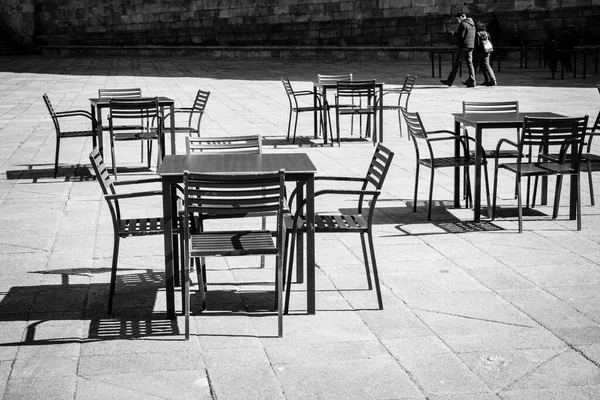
(481, 121)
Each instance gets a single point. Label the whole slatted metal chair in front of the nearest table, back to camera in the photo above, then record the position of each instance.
(208, 195)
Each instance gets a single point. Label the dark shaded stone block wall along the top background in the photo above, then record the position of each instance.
(288, 22)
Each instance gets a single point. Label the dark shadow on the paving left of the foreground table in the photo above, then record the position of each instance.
(133, 315)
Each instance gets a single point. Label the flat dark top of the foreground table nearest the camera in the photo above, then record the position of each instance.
(294, 164)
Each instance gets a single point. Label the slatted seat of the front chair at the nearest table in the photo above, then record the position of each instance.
(237, 243)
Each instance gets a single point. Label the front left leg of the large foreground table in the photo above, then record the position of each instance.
(168, 242)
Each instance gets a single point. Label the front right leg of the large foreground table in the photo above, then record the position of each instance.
(310, 245)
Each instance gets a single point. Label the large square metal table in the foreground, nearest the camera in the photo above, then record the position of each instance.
(298, 168)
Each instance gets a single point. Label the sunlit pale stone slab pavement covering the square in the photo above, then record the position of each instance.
(471, 311)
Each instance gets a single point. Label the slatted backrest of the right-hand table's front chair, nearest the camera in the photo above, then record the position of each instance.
(565, 133)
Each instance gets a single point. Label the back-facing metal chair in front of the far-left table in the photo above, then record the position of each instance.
(121, 111)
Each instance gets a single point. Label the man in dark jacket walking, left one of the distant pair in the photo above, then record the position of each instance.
(465, 41)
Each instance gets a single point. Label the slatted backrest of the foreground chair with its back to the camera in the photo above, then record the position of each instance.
(214, 195)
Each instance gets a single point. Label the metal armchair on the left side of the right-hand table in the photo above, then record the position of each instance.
(424, 142)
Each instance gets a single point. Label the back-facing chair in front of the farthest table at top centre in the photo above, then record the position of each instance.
(364, 92)
